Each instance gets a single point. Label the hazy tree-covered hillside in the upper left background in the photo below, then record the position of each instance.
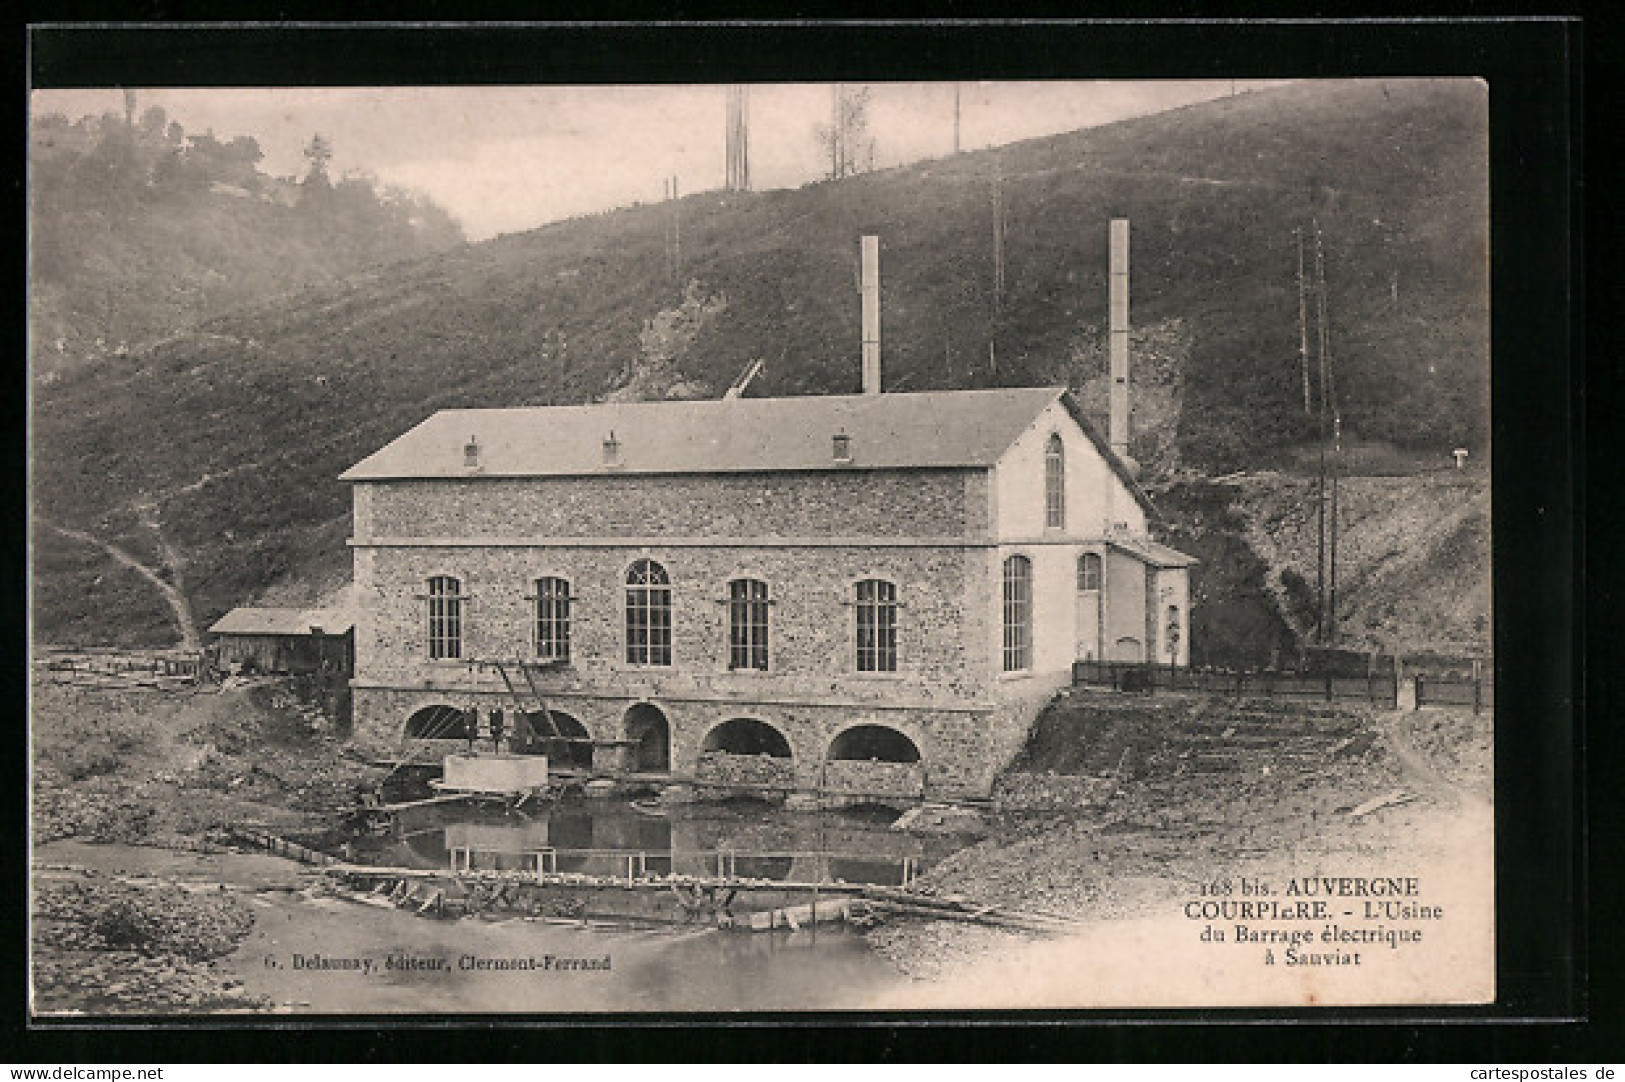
(139, 232)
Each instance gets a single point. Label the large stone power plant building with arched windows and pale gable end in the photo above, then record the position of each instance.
(867, 594)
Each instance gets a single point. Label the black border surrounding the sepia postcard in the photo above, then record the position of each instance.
(1535, 100)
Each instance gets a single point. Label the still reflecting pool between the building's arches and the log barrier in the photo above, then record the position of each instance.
(615, 839)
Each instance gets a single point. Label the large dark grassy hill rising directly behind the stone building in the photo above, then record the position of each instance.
(228, 438)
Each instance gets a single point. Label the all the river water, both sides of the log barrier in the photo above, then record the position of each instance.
(321, 954)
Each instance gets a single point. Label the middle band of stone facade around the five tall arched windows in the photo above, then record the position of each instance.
(942, 651)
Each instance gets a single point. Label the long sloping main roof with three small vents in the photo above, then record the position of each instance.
(717, 436)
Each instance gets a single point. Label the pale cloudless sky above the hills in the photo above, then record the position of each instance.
(513, 158)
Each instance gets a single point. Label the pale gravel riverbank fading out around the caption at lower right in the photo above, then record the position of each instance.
(1137, 862)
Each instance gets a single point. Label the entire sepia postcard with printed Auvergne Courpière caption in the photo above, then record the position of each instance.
(761, 548)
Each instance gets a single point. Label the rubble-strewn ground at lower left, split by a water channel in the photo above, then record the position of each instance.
(165, 769)
